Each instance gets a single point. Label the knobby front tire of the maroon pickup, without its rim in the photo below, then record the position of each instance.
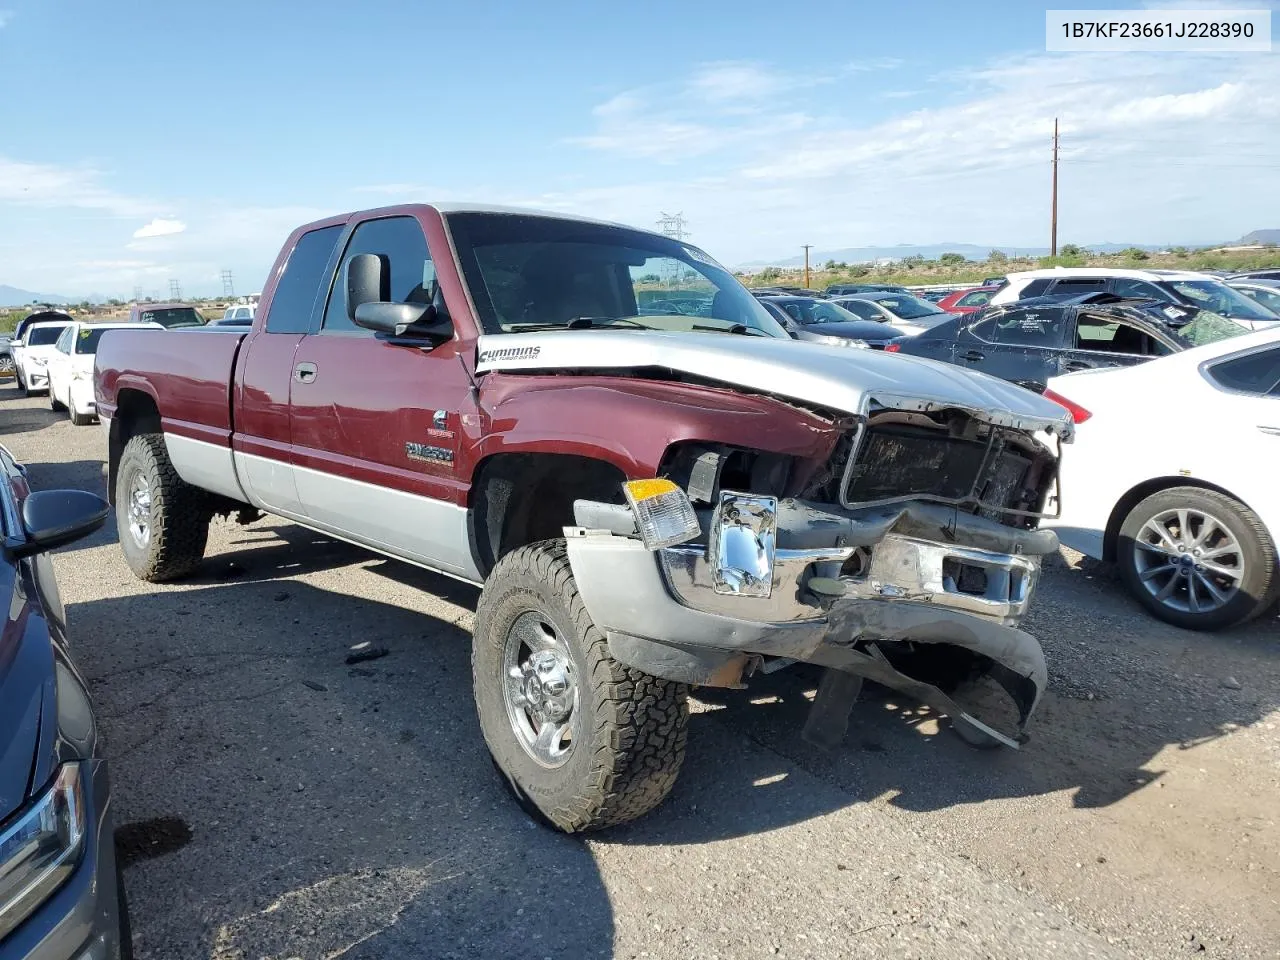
(634, 726)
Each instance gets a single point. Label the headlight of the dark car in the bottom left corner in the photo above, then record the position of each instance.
(40, 848)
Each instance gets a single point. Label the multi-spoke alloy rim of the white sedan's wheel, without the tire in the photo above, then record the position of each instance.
(1190, 561)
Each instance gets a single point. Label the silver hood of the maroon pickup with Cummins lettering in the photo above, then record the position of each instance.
(836, 378)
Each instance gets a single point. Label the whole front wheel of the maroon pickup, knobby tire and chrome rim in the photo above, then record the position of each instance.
(582, 740)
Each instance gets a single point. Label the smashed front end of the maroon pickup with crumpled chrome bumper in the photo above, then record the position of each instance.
(908, 557)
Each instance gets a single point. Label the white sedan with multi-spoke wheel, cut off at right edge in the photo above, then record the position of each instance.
(1173, 477)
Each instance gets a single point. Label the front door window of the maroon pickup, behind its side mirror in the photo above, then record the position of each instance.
(401, 244)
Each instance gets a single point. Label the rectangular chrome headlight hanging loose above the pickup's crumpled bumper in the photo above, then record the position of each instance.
(743, 545)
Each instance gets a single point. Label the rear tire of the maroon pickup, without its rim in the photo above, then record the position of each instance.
(180, 514)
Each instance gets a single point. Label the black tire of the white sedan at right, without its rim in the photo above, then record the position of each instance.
(1261, 584)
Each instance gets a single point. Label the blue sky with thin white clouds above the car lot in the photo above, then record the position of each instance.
(148, 141)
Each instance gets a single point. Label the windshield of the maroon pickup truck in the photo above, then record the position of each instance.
(529, 273)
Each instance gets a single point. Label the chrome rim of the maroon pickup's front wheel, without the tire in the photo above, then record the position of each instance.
(541, 689)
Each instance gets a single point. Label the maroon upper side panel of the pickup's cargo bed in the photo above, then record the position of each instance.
(186, 373)
